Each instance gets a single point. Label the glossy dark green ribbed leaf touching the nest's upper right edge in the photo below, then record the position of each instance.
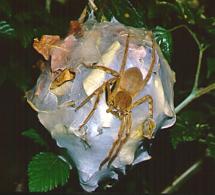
(164, 39)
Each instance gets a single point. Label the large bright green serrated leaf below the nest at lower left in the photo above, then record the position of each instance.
(47, 171)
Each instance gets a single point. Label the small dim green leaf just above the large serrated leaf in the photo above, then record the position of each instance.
(32, 134)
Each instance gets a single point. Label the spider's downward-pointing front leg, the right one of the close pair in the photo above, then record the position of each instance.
(123, 139)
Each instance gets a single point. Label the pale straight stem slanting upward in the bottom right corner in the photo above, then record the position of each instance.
(183, 177)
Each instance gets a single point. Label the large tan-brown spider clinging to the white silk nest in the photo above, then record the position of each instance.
(120, 91)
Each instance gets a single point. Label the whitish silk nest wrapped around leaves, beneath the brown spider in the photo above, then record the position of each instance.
(101, 43)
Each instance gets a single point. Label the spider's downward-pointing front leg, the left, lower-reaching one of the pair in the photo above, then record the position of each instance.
(120, 132)
